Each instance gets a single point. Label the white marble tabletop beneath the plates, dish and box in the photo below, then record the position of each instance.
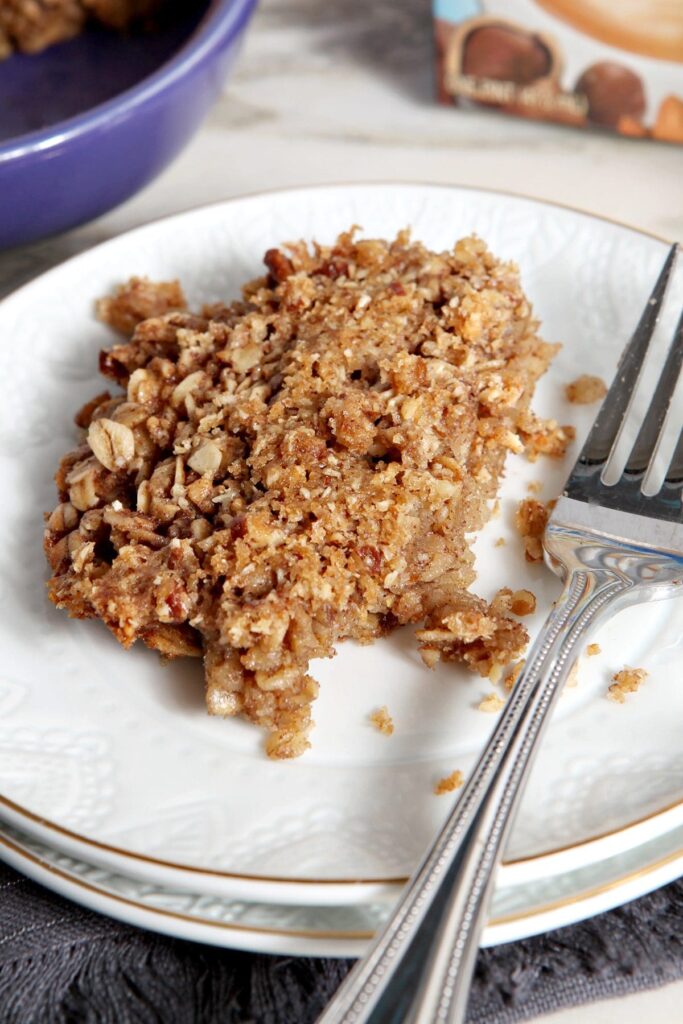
(341, 92)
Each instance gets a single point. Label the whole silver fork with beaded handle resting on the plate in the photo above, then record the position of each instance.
(614, 547)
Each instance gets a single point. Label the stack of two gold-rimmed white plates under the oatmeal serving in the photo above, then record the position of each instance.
(120, 793)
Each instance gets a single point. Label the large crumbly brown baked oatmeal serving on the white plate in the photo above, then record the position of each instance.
(303, 466)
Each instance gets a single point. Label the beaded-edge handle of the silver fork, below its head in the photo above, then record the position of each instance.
(419, 969)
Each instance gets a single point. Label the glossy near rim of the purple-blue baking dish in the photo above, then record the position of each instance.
(223, 22)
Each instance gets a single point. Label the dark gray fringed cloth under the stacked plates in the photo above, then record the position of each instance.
(63, 965)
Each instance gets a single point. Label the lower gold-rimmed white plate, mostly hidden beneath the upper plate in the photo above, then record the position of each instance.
(518, 912)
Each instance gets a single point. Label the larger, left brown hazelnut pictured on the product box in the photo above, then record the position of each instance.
(505, 55)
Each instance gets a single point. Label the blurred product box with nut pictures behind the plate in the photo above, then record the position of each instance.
(616, 65)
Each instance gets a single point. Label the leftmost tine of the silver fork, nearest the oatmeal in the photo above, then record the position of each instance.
(615, 408)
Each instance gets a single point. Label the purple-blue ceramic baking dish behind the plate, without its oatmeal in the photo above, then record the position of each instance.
(88, 123)
